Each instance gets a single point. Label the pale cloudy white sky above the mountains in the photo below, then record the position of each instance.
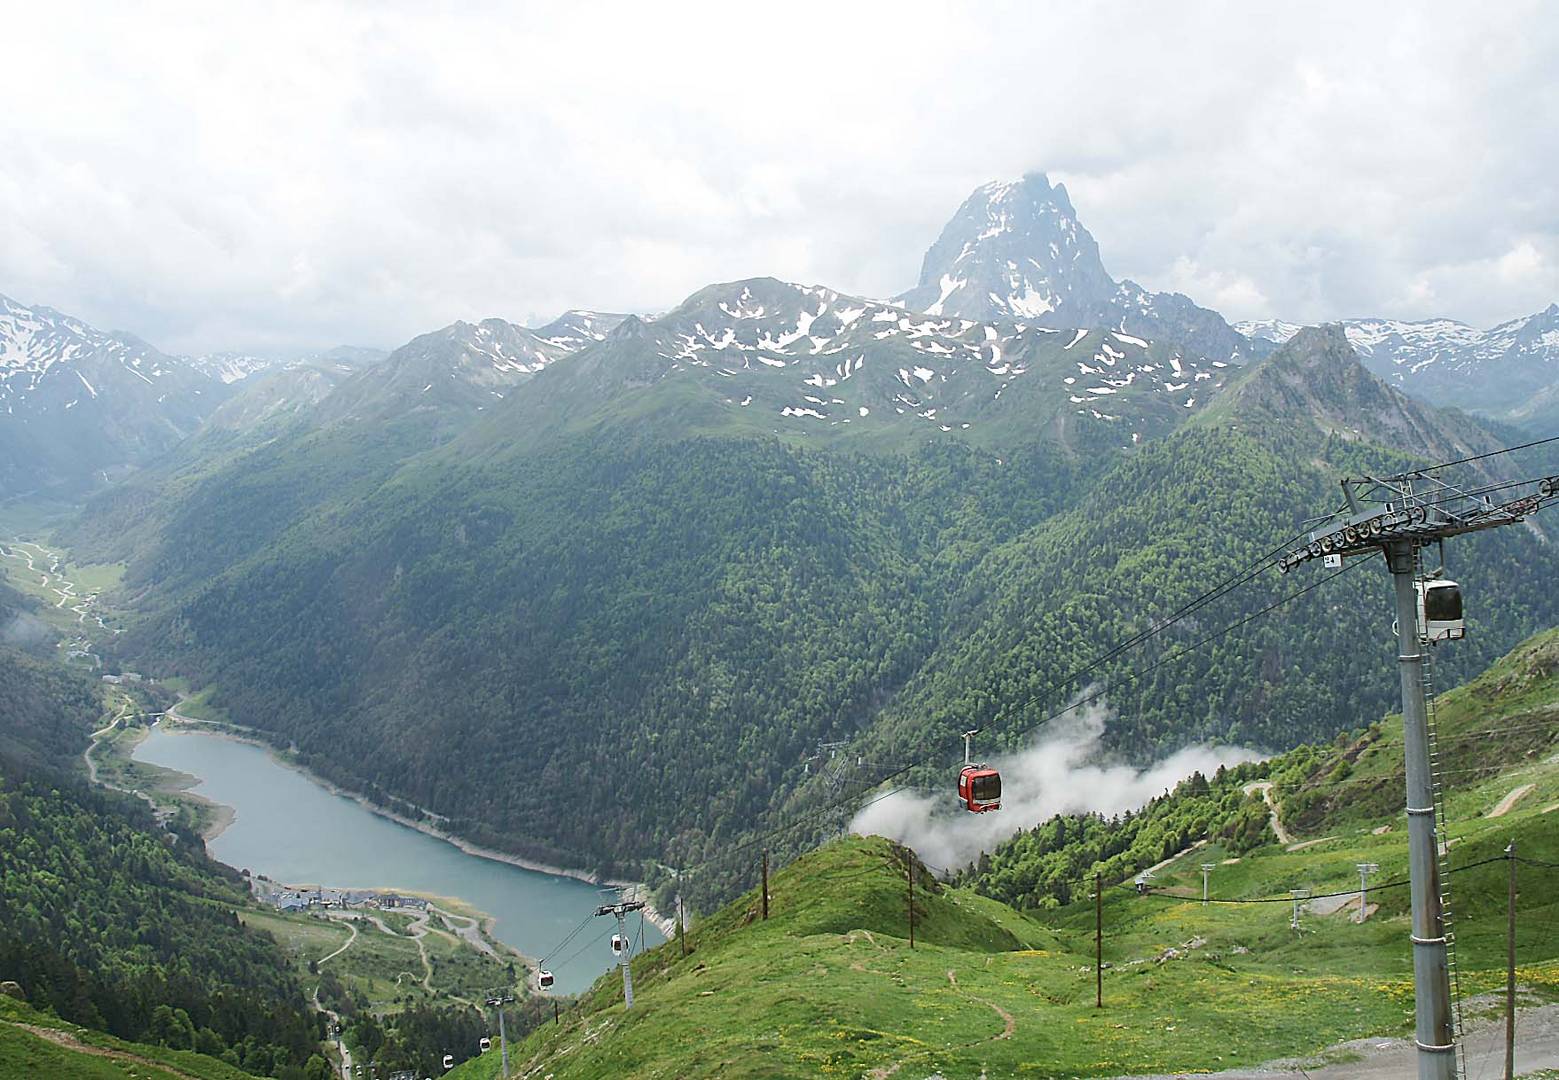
(275, 177)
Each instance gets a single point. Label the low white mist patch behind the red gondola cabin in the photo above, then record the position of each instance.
(1052, 777)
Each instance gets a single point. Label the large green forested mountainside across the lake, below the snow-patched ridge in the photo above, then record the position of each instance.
(662, 627)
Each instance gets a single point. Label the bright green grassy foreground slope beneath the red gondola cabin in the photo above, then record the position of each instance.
(830, 987)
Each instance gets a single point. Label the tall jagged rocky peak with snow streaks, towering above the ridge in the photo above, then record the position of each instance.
(1017, 253)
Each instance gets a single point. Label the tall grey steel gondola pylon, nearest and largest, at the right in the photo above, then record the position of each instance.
(1399, 517)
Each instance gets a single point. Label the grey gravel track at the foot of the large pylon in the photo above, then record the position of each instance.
(1382, 1059)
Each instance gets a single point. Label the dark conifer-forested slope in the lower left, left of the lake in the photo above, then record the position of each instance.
(115, 923)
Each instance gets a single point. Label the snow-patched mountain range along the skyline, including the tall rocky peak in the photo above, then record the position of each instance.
(1014, 322)
